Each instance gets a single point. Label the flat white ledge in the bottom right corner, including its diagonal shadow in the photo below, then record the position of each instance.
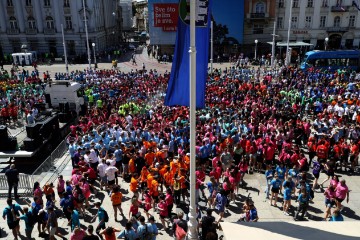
(349, 230)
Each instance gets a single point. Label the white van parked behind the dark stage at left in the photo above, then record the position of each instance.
(65, 91)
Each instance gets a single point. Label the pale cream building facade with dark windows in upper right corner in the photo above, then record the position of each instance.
(315, 21)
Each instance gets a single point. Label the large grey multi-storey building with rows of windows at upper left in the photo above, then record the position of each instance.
(37, 24)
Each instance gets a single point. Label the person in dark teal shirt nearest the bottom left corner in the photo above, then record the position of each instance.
(11, 214)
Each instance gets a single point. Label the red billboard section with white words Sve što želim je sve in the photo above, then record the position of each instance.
(166, 16)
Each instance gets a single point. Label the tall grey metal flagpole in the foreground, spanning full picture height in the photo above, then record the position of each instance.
(192, 233)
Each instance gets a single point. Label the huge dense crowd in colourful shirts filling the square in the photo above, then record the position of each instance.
(287, 126)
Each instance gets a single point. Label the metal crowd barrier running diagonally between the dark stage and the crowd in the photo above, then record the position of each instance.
(42, 172)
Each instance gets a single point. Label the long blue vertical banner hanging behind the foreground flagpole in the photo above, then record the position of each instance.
(178, 91)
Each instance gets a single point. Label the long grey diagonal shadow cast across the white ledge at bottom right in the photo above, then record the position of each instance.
(298, 232)
